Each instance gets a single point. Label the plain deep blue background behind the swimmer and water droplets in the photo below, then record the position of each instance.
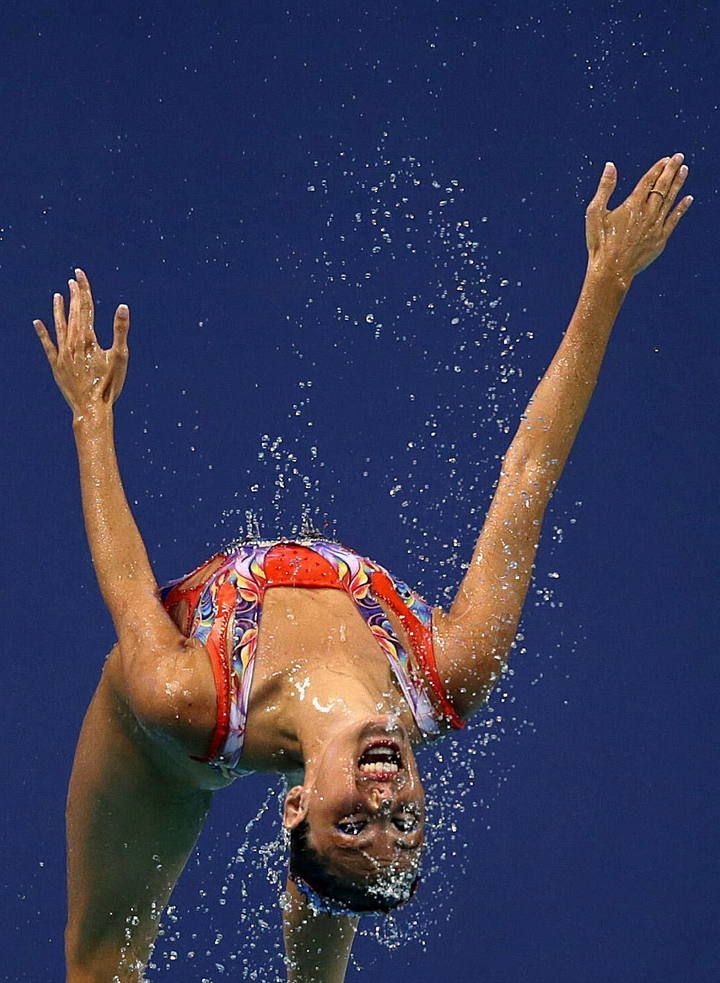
(207, 164)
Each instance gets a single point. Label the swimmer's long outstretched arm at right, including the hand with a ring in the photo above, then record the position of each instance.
(474, 637)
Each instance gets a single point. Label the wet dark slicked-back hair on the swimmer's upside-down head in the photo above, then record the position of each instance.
(313, 868)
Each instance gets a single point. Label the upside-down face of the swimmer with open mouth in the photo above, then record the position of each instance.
(365, 804)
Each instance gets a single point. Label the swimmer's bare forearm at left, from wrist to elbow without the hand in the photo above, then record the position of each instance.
(118, 552)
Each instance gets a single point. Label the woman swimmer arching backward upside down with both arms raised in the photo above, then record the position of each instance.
(304, 658)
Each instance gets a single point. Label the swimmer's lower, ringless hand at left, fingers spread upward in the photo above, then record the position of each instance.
(88, 376)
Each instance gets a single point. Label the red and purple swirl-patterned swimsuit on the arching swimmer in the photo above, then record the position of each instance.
(223, 611)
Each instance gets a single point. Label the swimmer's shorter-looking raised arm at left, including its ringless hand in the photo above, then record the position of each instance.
(91, 379)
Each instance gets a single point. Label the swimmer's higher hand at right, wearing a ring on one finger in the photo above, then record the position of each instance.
(625, 240)
